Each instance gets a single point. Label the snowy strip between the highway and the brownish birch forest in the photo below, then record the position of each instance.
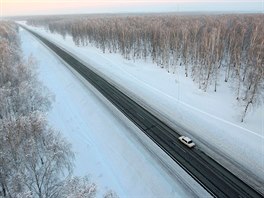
(211, 119)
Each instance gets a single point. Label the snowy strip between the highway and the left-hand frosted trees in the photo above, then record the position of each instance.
(108, 147)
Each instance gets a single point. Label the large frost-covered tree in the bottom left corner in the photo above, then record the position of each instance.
(37, 159)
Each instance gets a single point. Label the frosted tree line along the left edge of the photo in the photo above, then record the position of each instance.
(35, 160)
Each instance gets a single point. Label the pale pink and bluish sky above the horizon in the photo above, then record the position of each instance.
(47, 7)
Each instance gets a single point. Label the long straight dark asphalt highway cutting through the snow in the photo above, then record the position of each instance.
(217, 180)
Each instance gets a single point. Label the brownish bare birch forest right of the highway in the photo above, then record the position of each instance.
(210, 48)
